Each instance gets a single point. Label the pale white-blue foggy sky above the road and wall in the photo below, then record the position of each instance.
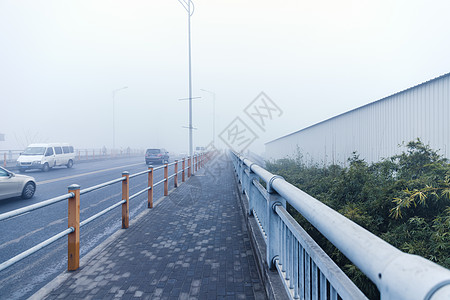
(61, 60)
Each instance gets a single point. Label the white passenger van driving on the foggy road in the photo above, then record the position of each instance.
(46, 156)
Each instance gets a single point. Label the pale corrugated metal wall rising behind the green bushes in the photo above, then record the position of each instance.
(375, 130)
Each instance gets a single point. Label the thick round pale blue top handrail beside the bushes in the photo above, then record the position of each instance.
(398, 275)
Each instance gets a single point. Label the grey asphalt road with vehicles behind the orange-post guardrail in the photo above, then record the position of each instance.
(25, 231)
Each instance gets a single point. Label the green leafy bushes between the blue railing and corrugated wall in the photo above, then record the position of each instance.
(404, 200)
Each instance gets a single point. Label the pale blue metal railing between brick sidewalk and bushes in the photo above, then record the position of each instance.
(307, 272)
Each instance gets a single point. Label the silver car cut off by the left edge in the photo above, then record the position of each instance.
(13, 185)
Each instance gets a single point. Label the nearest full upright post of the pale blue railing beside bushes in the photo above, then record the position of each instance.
(274, 224)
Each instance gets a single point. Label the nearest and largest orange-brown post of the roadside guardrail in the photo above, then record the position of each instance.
(73, 239)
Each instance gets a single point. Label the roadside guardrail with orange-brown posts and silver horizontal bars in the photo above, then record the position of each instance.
(73, 197)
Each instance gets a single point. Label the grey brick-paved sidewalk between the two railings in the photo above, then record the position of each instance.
(192, 245)
